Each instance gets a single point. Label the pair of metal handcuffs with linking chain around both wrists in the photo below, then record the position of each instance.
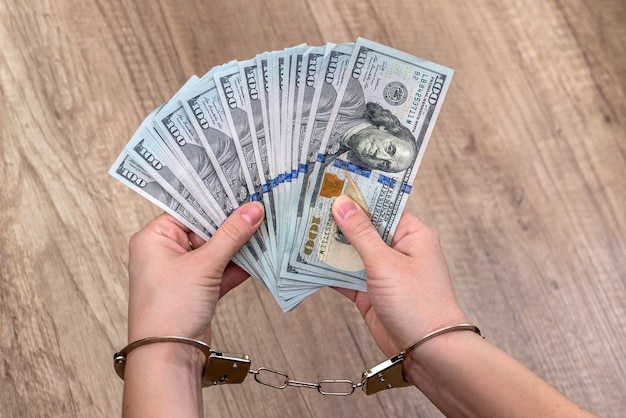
(228, 368)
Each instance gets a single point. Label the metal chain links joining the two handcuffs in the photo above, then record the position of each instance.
(321, 386)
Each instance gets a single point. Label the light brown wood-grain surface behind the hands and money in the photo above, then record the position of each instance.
(525, 178)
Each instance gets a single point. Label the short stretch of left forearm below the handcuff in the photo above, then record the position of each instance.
(163, 380)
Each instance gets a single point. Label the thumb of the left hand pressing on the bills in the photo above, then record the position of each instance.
(233, 234)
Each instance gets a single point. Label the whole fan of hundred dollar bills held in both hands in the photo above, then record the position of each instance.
(292, 129)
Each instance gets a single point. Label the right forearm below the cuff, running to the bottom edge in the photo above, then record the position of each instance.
(464, 375)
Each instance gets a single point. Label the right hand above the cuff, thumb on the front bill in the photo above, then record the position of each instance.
(409, 291)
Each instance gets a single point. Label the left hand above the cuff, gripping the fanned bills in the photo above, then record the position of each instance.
(174, 290)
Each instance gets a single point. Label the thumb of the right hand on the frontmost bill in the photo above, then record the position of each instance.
(358, 228)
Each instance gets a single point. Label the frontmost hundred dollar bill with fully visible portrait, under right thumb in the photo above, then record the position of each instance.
(371, 150)
